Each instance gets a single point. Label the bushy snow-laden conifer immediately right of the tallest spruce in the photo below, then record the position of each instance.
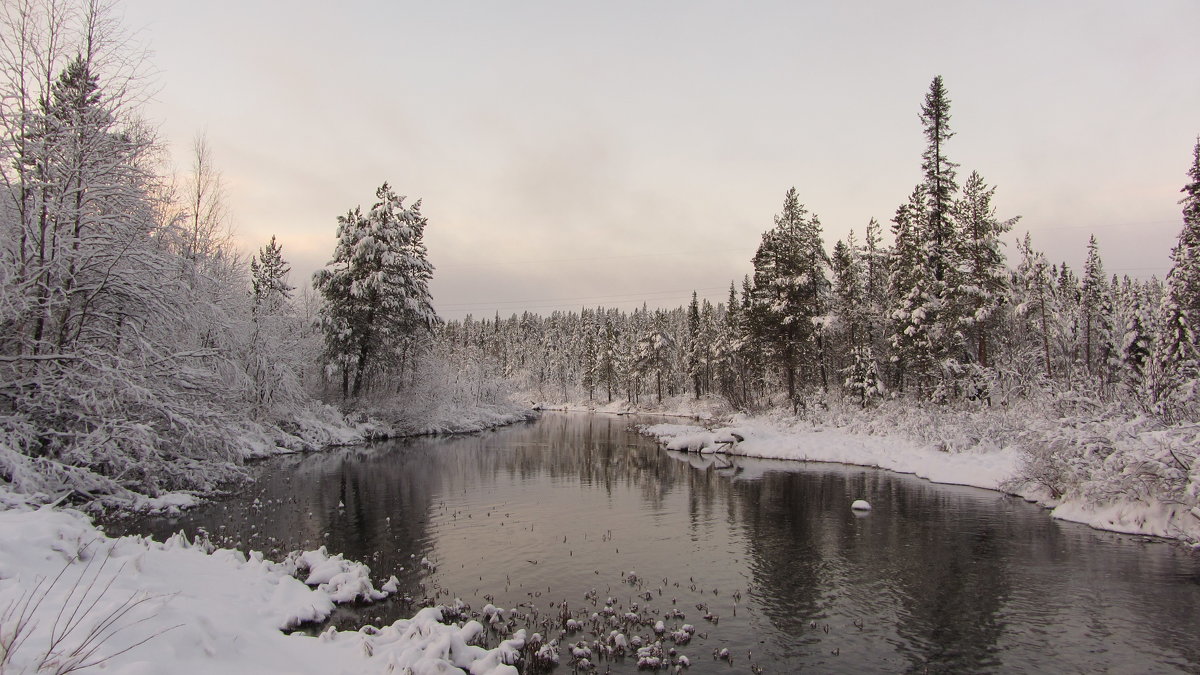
(983, 276)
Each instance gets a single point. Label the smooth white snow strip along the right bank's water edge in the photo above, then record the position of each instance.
(988, 467)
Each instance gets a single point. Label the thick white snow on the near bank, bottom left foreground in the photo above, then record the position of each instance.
(187, 608)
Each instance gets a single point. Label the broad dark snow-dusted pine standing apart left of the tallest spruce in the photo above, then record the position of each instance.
(790, 284)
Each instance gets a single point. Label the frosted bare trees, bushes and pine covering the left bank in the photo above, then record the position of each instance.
(142, 355)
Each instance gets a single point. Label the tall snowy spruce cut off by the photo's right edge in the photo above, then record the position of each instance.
(1175, 374)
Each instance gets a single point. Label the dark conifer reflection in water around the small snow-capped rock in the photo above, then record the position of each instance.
(929, 590)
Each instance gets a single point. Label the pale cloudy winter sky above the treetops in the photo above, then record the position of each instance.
(615, 153)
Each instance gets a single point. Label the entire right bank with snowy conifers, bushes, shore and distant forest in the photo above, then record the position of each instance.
(929, 355)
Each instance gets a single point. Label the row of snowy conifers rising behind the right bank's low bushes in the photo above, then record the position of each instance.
(938, 314)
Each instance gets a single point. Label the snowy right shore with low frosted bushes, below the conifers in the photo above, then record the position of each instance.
(1131, 493)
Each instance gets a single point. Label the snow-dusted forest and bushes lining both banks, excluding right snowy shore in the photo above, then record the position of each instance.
(141, 351)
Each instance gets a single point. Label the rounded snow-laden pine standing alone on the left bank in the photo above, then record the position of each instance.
(376, 292)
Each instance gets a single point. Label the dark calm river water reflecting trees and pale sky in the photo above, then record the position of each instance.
(937, 578)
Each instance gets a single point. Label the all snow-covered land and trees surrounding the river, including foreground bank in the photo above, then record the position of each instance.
(145, 360)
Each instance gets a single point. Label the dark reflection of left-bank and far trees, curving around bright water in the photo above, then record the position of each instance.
(371, 503)
